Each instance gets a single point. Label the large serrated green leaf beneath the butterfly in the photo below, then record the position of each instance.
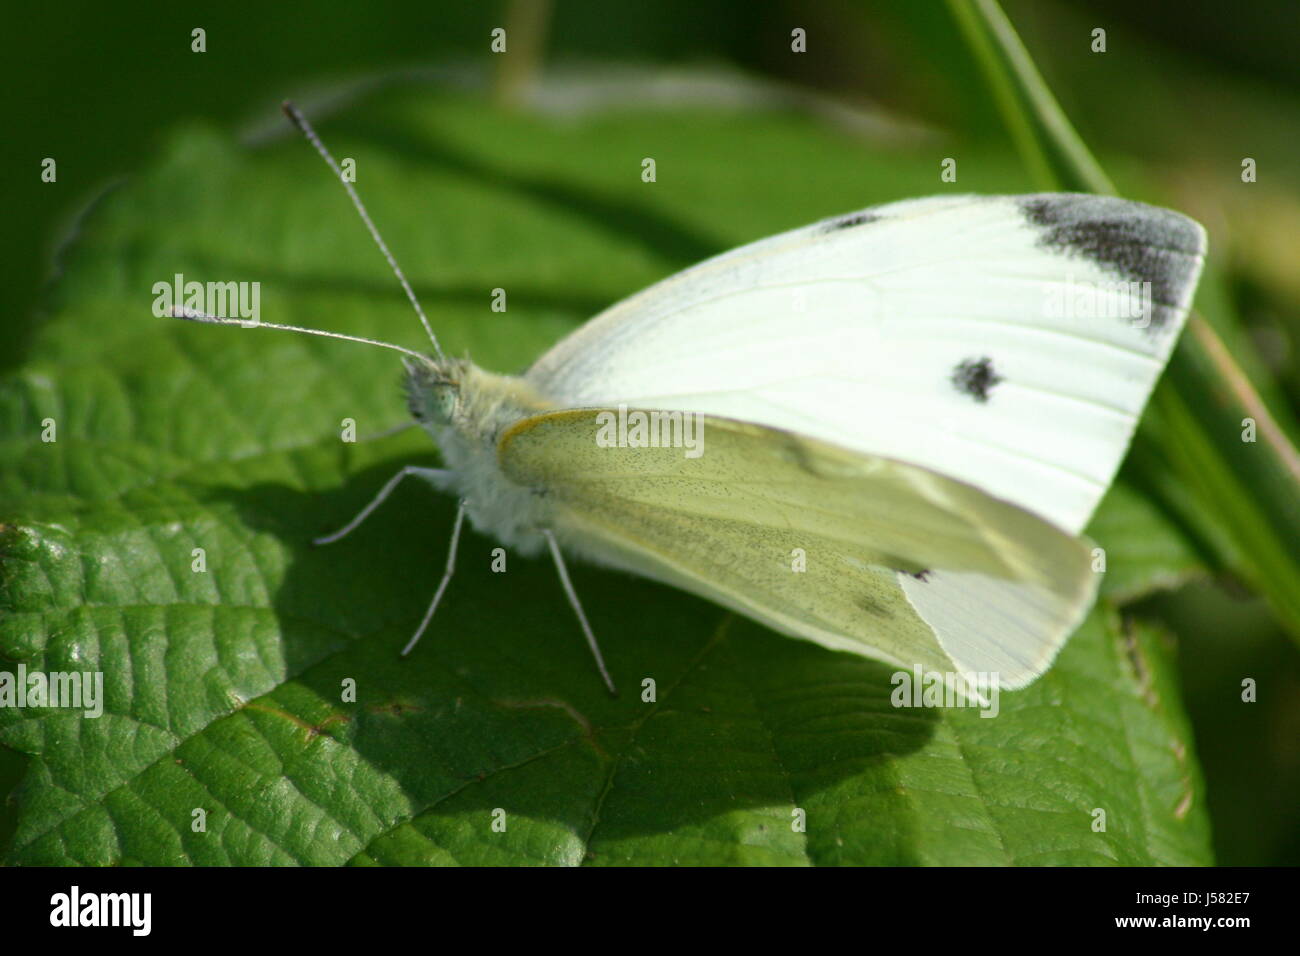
(227, 690)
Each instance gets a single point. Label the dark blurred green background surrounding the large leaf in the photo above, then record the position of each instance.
(1181, 97)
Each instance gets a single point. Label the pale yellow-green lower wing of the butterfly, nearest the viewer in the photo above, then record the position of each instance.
(817, 542)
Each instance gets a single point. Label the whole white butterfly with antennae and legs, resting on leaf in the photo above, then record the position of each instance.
(908, 416)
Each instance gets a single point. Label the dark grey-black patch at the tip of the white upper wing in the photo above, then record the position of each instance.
(1132, 241)
